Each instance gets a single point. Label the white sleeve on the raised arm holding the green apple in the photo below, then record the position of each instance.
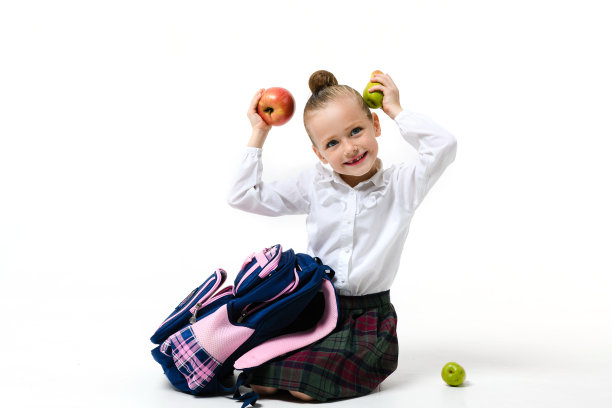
(436, 149)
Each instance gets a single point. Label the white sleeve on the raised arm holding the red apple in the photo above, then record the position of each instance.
(249, 193)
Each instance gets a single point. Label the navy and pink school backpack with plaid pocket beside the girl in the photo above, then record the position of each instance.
(279, 302)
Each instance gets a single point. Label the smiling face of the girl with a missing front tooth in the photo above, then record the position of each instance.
(345, 138)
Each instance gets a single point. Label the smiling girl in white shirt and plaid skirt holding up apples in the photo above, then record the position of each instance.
(358, 216)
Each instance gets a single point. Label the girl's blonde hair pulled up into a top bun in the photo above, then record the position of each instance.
(325, 89)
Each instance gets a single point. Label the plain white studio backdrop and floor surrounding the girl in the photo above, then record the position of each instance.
(121, 123)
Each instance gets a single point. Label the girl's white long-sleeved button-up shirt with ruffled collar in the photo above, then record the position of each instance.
(360, 232)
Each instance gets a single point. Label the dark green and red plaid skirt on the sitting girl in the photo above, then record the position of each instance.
(351, 361)
